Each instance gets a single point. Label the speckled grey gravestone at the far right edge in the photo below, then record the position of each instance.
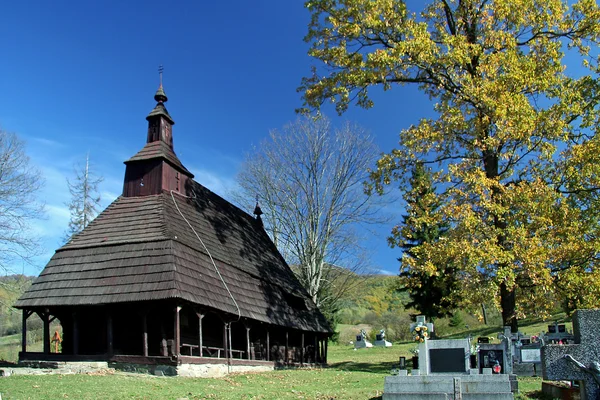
(579, 361)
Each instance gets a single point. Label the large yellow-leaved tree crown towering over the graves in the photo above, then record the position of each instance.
(512, 125)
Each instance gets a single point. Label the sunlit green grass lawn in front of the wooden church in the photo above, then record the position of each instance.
(351, 375)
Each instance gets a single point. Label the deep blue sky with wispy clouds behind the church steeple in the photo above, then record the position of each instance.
(80, 76)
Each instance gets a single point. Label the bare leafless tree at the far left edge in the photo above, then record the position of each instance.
(20, 182)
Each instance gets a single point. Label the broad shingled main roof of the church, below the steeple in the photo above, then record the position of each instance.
(141, 248)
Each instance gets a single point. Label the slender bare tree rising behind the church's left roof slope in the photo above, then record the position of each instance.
(85, 198)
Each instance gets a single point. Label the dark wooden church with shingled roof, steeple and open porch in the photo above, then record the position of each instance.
(171, 273)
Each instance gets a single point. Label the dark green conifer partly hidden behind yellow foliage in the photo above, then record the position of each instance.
(433, 295)
